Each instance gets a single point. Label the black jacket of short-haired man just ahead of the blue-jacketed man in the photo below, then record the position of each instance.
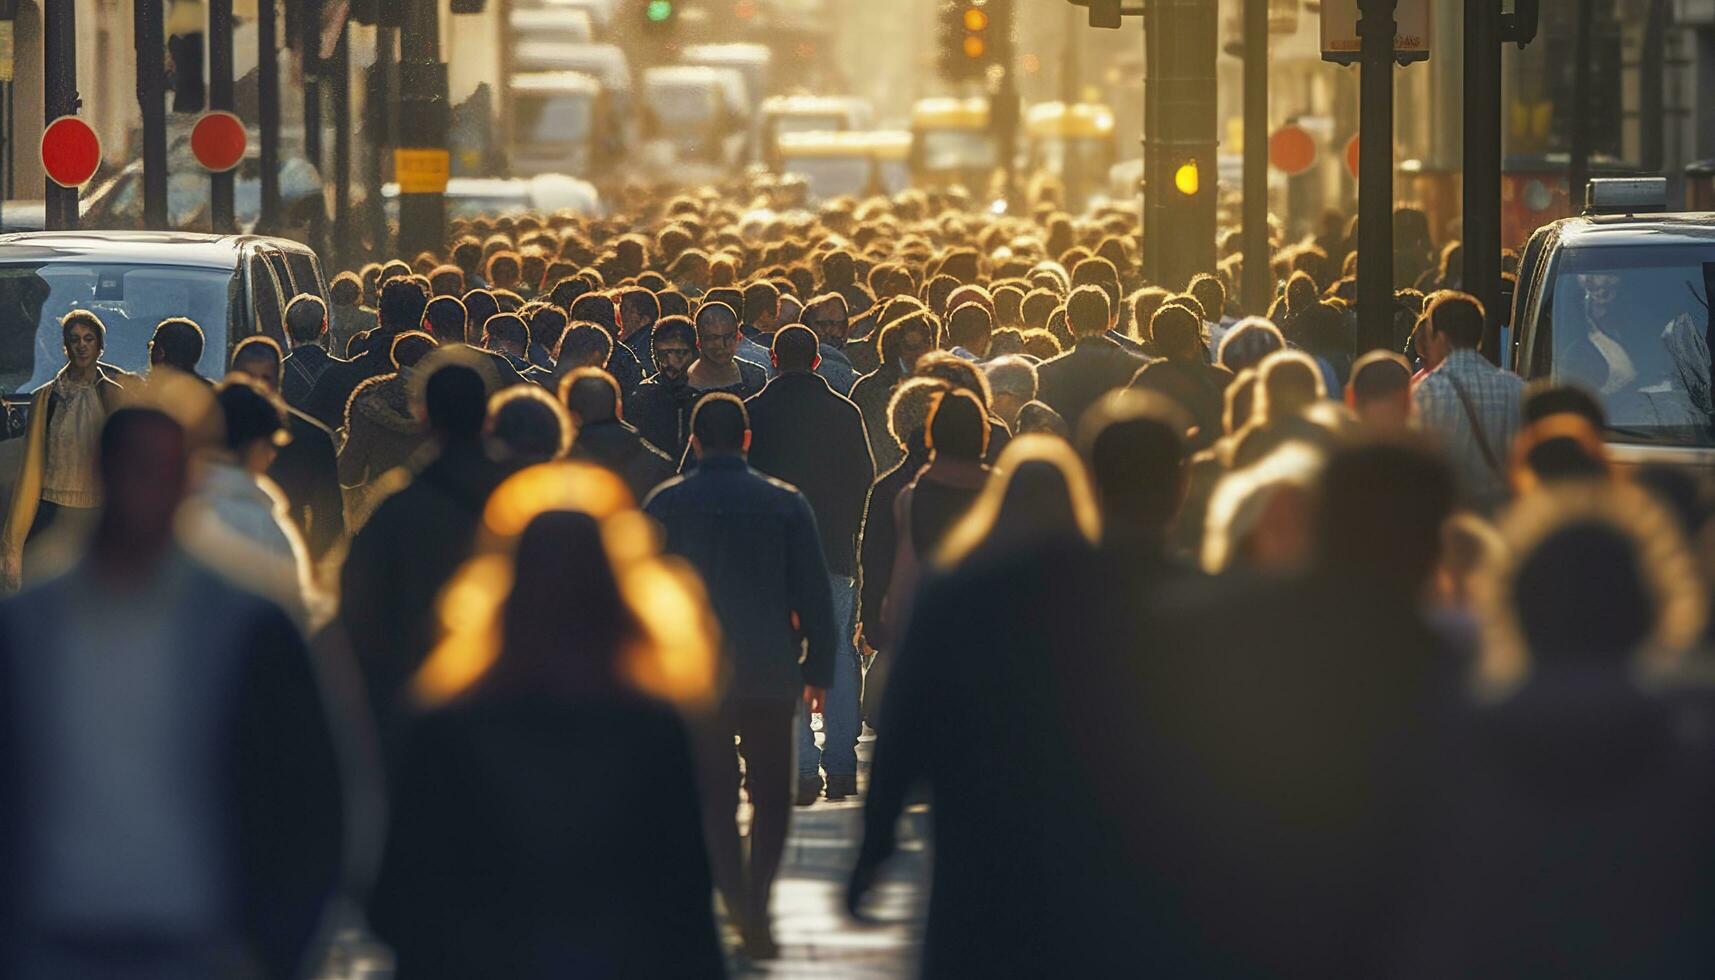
(815, 440)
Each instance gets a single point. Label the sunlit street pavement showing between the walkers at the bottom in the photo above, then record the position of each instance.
(817, 938)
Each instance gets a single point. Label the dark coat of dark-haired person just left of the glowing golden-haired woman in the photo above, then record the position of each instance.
(400, 562)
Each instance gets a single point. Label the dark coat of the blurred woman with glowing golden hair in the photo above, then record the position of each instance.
(543, 840)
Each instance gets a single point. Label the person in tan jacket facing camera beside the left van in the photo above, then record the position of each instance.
(59, 476)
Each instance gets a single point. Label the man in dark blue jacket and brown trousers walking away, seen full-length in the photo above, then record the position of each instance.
(757, 547)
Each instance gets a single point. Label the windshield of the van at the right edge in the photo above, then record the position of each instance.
(1632, 325)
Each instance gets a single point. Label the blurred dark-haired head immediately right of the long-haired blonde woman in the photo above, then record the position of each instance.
(1134, 444)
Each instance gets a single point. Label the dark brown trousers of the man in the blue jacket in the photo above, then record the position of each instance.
(766, 741)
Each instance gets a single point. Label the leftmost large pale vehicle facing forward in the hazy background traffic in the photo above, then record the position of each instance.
(562, 124)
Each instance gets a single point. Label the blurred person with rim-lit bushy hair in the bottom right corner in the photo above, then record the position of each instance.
(1582, 787)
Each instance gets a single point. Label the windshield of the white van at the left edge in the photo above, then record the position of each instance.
(129, 299)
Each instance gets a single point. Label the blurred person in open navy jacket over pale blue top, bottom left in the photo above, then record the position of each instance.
(171, 801)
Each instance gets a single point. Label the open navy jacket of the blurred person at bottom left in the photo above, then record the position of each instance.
(272, 768)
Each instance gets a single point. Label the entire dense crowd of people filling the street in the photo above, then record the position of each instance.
(479, 603)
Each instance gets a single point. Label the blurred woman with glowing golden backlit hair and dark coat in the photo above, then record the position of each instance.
(545, 821)
